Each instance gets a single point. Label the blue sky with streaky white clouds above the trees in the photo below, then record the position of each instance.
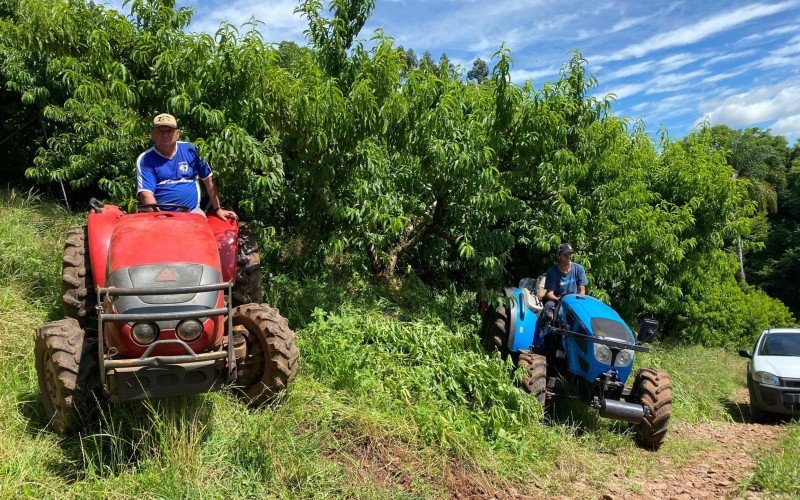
(671, 64)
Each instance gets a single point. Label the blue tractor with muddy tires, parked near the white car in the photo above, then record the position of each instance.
(588, 345)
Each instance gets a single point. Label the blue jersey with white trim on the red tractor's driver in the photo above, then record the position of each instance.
(172, 180)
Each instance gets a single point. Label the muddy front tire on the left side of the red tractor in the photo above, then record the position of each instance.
(69, 378)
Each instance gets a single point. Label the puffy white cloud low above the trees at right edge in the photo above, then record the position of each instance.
(764, 104)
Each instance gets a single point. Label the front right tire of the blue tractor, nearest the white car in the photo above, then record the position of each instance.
(653, 390)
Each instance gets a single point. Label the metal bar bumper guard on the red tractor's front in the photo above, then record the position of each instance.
(174, 365)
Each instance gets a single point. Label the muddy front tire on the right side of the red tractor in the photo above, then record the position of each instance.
(272, 357)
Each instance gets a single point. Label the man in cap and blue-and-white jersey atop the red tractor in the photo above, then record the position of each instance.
(167, 174)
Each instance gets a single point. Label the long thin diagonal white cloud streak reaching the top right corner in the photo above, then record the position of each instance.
(698, 31)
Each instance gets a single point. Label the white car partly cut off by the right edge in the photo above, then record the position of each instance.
(773, 374)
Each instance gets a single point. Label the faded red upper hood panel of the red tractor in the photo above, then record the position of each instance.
(162, 237)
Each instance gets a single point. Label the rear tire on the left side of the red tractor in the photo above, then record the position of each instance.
(78, 299)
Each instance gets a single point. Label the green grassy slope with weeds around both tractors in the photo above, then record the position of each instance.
(394, 399)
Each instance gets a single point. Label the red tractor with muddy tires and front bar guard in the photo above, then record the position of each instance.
(159, 304)
